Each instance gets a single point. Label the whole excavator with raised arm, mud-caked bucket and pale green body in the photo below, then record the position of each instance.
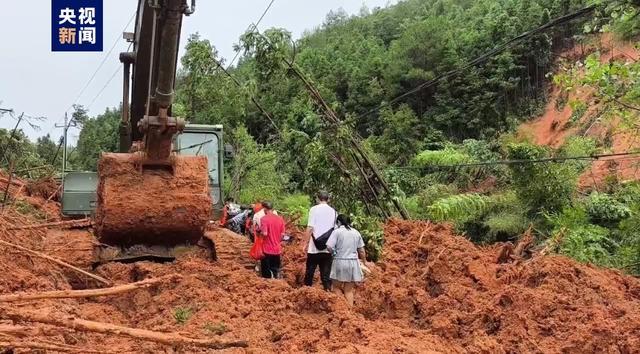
(161, 190)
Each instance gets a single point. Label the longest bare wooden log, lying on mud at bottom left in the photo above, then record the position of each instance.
(78, 324)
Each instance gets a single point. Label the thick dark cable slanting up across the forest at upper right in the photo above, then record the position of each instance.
(484, 57)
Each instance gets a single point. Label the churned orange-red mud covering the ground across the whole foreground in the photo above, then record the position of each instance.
(433, 292)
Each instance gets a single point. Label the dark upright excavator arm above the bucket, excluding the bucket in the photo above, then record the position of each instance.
(154, 60)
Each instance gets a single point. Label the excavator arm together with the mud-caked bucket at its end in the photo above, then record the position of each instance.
(148, 195)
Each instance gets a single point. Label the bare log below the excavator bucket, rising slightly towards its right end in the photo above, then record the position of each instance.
(68, 294)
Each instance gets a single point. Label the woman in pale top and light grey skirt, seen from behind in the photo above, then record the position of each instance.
(347, 246)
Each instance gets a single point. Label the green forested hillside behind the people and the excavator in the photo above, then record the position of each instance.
(431, 144)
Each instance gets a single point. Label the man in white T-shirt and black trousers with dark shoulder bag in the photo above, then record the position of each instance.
(322, 218)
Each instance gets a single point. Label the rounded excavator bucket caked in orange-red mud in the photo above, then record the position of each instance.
(165, 205)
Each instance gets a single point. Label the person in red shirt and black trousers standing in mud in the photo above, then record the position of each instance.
(272, 228)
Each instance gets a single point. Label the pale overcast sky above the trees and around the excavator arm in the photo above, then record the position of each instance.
(39, 82)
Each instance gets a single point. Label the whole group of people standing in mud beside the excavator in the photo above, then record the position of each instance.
(331, 244)
